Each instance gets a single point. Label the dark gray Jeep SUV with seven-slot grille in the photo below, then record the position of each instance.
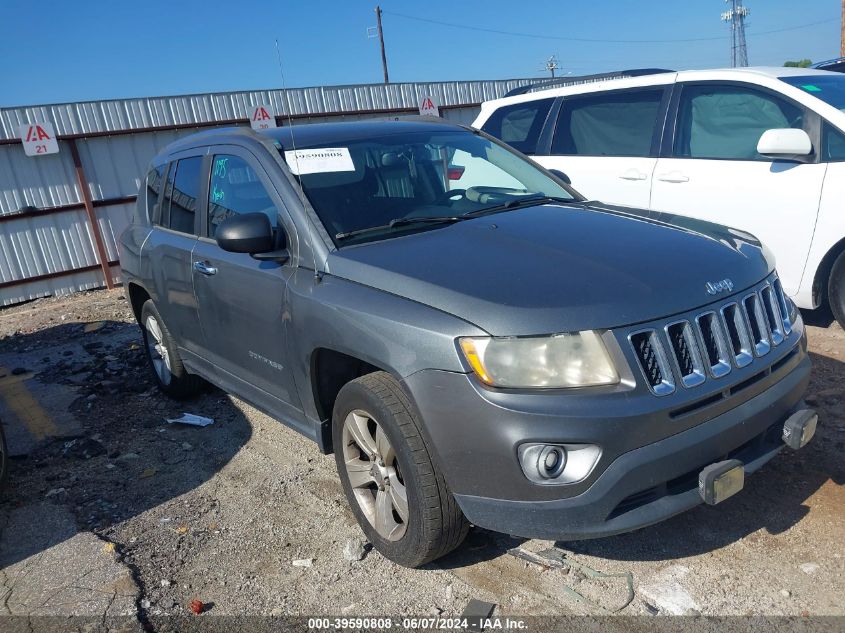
(474, 341)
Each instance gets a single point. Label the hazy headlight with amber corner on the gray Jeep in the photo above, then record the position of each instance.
(578, 359)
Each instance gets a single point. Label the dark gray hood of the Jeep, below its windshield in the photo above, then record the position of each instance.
(556, 268)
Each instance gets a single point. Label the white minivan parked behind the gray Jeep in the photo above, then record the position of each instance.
(758, 149)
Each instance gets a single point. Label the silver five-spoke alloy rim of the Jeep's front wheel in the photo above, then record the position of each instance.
(374, 475)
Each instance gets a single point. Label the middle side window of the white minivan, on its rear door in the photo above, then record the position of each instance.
(608, 124)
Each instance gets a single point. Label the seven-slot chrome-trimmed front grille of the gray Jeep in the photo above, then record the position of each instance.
(712, 343)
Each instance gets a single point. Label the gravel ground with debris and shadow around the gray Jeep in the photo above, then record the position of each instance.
(228, 513)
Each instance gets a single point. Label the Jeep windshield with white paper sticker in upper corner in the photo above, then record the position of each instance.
(375, 188)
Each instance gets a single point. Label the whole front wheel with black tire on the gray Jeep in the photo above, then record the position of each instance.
(394, 489)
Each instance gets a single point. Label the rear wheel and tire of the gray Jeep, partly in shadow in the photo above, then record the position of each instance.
(163, 356)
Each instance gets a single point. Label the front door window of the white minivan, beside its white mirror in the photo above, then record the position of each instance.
(726, 122)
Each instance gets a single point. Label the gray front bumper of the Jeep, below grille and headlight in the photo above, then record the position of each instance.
(650, 461)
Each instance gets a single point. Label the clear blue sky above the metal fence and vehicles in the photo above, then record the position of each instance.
(58, 51)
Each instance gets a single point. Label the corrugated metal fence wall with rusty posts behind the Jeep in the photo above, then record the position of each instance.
(60, 214)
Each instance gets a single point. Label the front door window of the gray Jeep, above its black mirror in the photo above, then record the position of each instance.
(236, 188)
